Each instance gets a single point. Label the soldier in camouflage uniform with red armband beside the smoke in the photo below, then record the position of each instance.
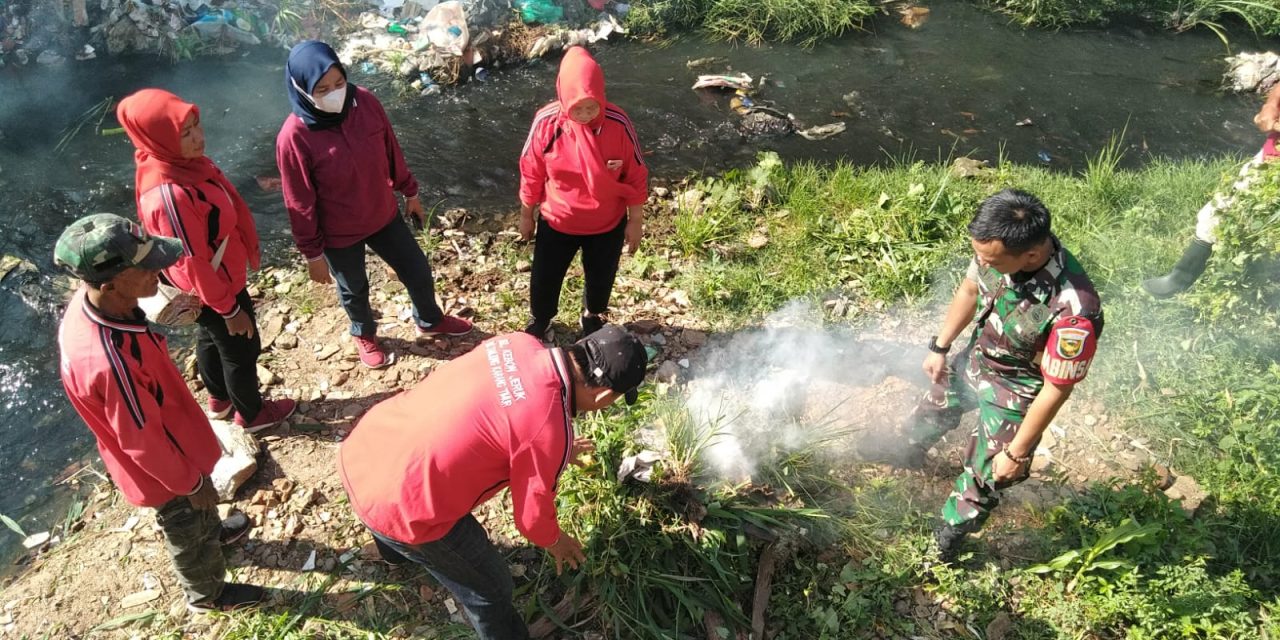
(1037, 321)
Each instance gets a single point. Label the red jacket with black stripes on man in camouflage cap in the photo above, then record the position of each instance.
(153, 435)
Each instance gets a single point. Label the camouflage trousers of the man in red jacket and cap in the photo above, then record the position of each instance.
(191, 538)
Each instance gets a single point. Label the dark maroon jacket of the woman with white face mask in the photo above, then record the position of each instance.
(339, 182)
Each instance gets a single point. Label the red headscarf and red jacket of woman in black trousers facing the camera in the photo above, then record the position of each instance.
(584, 176)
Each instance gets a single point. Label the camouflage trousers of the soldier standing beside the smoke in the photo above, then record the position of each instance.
(1002, 404)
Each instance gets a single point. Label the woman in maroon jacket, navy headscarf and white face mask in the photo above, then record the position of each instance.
(340, 163)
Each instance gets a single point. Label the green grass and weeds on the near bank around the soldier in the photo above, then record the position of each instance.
(1191, 380)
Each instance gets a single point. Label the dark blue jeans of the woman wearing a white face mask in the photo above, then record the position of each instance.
(395, 244)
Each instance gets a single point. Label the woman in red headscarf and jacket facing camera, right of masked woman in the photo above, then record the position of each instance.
(582, 170)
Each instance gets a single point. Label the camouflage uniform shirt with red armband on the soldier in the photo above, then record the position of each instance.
(1018, 316)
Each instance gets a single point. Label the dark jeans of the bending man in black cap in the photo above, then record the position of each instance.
(473, 570)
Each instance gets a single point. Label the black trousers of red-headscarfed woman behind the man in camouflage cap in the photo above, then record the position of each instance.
(228, 364)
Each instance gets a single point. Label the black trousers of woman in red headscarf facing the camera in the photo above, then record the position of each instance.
(555, 252)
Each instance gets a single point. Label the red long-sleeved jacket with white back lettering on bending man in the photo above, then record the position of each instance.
(499, 417)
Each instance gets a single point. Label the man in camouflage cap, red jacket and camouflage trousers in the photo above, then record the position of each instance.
(152, 433)
